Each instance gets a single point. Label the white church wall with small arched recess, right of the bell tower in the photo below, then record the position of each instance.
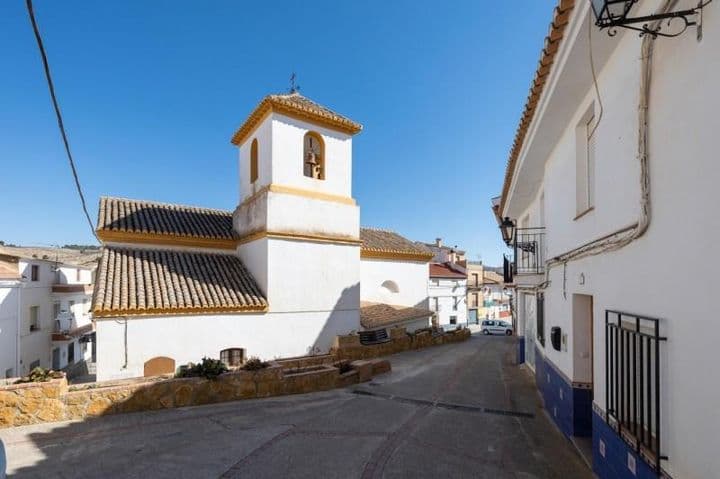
(402, 283)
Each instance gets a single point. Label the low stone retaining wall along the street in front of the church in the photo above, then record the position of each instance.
(51, 401)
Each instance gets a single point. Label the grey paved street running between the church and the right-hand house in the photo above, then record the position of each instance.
(461, 410)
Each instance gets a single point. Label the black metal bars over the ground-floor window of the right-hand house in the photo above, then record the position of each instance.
(632, 378)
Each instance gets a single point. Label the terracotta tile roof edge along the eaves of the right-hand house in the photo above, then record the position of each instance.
(560, 20)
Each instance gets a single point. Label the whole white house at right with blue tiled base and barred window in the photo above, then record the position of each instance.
(612, 187)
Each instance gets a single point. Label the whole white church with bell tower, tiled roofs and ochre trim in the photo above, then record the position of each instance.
(281, 275)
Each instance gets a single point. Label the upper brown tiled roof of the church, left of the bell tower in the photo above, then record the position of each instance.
(136, 216)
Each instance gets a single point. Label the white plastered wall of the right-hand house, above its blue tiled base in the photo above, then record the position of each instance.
(684, 174)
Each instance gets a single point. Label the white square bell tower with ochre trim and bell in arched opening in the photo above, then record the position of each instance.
(297, 221)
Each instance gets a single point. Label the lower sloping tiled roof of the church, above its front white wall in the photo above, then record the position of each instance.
(145, 281)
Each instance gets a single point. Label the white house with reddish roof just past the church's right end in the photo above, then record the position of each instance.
(448, 294)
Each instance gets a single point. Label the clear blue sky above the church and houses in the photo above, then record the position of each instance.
(151, 92)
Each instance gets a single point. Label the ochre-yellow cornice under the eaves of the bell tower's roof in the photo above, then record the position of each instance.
(274, 105)
